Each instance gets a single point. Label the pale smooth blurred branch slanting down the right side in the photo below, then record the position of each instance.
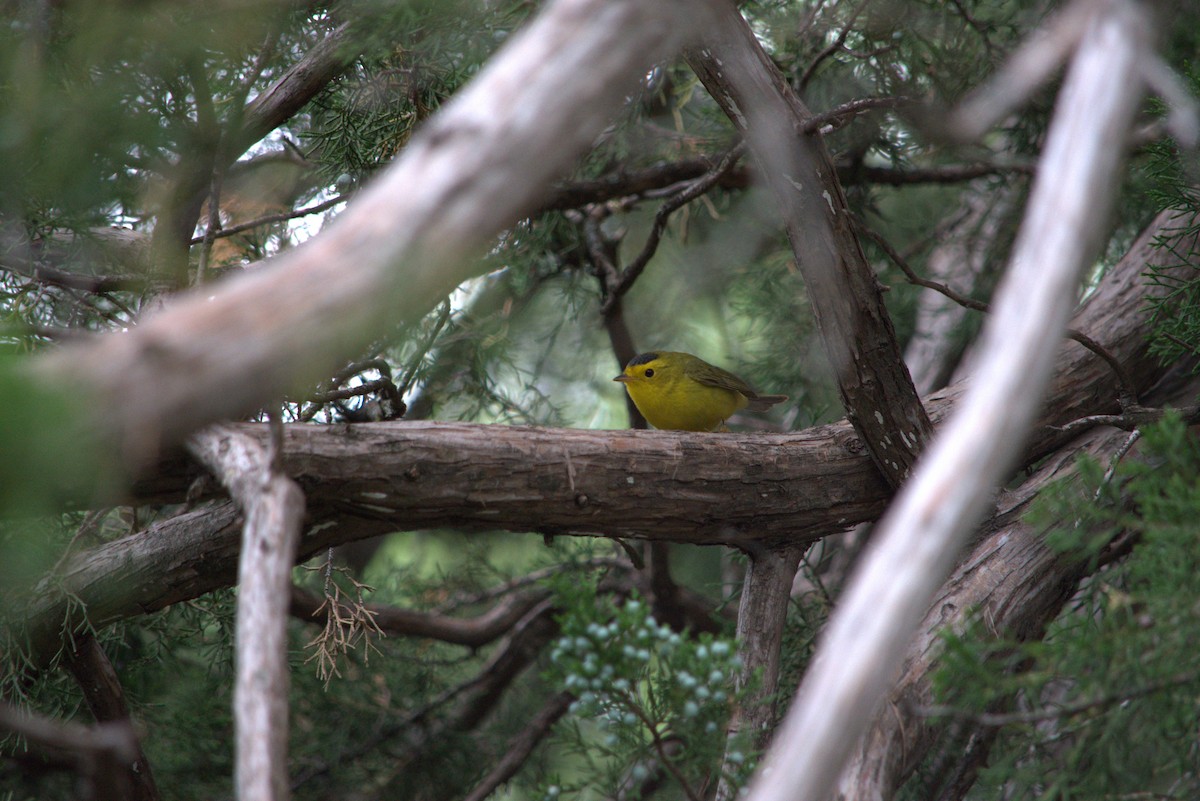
(937, 511)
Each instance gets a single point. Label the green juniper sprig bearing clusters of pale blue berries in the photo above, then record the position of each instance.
(651, 706)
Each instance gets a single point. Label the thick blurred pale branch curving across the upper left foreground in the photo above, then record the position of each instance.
(398, 251)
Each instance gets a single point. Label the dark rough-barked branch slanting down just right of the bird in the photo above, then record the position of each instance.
(875, 388)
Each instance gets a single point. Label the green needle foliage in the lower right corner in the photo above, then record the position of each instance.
(1107, 706)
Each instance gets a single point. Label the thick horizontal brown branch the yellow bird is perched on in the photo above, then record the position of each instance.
(736, 490)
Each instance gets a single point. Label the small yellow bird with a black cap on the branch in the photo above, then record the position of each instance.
(677, 392)
